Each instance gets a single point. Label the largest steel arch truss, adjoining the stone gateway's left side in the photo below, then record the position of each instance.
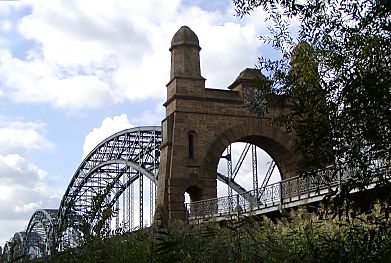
(105, 175)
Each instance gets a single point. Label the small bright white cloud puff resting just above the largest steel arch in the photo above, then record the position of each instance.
(109, 126)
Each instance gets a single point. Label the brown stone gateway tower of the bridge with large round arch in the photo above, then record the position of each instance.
(200, 123)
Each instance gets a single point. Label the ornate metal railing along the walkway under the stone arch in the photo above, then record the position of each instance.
(277, 194)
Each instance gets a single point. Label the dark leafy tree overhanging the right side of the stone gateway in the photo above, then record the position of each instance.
(338, 79)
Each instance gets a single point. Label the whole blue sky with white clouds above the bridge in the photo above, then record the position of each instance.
(72, 72)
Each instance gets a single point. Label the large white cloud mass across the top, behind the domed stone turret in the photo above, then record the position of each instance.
(94, 53)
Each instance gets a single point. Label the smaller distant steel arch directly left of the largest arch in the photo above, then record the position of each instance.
(40, 233)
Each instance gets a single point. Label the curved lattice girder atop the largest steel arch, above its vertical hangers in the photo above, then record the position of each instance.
(108, 170)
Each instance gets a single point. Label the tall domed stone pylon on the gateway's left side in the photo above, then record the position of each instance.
(177, 162)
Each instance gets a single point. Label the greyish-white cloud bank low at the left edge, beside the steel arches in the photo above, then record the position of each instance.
(24, 186)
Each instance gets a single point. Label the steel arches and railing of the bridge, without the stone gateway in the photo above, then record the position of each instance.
(120, 175)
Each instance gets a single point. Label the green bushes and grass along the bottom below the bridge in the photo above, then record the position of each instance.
(299, 237)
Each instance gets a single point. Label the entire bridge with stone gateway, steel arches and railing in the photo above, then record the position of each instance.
(133, 174)
